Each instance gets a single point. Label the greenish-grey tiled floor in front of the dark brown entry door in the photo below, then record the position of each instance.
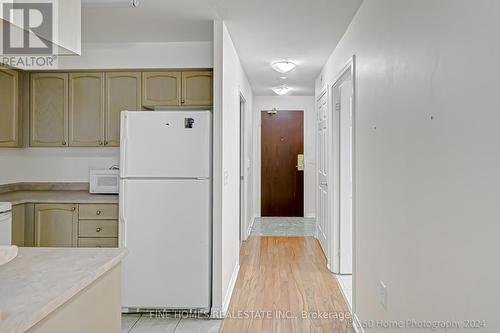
(284, 226)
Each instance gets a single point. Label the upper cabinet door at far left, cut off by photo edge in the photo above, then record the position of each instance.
(9, 108)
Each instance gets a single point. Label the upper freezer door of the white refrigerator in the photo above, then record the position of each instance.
(166, 144)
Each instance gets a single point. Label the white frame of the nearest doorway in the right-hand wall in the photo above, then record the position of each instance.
(349, 67)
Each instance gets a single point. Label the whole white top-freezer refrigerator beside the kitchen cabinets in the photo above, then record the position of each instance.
(165, 209)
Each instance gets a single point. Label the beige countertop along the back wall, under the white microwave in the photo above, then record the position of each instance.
(76, 197)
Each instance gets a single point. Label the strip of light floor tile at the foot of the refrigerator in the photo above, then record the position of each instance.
(136, 323)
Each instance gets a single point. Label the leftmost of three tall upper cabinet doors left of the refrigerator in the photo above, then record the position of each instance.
(49, 110)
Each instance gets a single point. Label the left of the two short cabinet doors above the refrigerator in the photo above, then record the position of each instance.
(161, 88)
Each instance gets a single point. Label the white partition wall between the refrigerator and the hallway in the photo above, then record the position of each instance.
(230, 82)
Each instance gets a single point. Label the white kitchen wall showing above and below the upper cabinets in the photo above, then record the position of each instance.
(72, 164)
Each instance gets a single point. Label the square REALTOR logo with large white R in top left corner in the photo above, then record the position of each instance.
(27, 28)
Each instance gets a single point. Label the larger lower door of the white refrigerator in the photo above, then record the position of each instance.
(165, 225)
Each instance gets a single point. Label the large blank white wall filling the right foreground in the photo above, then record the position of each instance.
(427, 158)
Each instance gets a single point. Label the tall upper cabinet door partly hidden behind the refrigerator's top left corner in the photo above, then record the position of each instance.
(123, 92)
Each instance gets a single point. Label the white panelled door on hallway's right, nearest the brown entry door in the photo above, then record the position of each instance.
(322, 161)
